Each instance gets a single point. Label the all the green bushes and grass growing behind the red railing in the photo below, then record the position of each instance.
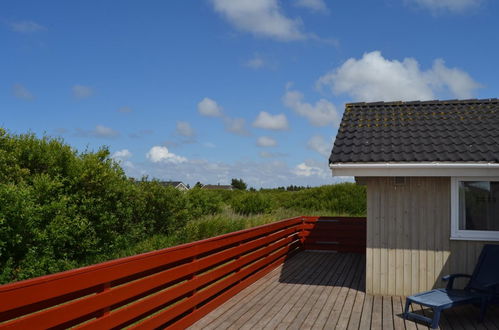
(61, 208)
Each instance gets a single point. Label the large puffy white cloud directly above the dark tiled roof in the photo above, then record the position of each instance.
(374, 78)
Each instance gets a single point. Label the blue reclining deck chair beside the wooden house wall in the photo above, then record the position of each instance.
(482, 289)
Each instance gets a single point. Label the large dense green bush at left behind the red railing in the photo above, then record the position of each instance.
(61, 209)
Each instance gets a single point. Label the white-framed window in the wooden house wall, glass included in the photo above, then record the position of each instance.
(475, 208)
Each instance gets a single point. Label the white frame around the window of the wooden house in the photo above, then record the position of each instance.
(468, 235)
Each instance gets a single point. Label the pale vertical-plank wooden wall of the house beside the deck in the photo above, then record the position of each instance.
(408, 231)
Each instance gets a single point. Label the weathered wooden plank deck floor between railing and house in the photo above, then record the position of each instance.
(317, 290)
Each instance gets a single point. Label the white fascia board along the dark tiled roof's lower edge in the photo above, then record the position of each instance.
(415, 169)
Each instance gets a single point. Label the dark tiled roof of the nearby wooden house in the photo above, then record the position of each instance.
(430, 131)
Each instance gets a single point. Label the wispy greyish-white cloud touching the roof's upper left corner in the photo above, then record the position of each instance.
(322, 113)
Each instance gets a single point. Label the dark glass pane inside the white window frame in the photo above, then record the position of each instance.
(479, 205)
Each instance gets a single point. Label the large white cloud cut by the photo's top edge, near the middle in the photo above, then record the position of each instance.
(261, 18)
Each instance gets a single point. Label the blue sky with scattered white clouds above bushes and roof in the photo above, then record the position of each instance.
(218, 89)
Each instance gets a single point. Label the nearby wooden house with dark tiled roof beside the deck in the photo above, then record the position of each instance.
(432, 176)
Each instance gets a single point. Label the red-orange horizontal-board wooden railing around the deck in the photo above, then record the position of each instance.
(173, 287)
